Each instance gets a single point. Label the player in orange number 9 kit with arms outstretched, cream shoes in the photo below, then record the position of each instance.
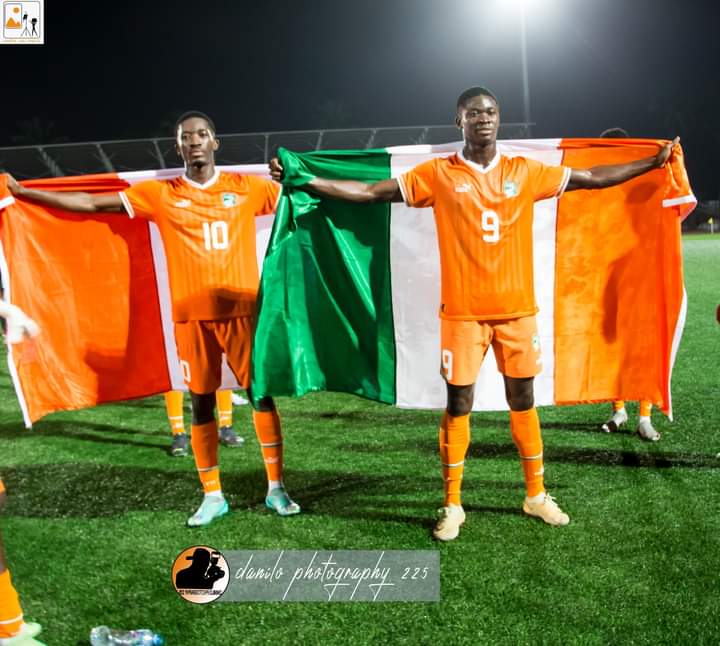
(483, 206)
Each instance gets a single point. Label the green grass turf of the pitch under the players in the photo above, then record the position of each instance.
(96, 513)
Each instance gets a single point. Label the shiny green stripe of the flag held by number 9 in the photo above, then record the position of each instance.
(325, 318)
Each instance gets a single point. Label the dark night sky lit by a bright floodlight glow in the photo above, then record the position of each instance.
(120, 70)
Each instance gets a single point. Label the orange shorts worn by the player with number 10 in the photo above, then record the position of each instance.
(201, 345)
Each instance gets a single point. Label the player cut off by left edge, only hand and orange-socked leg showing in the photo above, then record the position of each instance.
(13, 629)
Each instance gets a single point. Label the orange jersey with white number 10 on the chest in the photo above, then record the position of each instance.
(209, 236)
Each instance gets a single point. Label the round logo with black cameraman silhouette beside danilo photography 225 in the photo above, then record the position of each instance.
(200, 574)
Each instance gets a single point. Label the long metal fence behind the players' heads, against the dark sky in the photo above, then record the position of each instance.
(57, 160)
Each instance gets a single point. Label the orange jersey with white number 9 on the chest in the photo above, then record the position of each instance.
(484, 226)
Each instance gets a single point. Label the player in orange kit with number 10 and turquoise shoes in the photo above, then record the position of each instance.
(206, 221)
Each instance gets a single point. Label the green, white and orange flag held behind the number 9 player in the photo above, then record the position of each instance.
(350, 293)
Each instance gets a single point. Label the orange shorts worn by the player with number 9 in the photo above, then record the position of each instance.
(515, 342)
